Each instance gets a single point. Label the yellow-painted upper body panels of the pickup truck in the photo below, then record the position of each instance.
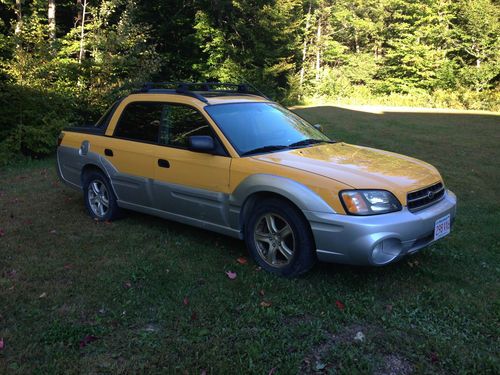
(325, 169)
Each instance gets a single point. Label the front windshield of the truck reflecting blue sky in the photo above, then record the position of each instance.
(263, 127)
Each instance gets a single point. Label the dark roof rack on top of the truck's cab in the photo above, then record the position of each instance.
(197, 89)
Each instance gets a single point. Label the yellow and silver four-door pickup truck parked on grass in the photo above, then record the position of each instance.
(225, 158)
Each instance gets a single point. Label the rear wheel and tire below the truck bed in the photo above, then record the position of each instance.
(99, 197)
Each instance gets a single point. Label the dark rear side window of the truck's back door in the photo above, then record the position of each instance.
(140, 121)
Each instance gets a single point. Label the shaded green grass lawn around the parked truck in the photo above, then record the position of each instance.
(145, 295)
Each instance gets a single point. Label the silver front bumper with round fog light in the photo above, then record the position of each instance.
(380, 239)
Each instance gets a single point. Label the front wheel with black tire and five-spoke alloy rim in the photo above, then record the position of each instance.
(279, 238)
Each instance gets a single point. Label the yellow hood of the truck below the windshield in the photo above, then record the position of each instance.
(359, 167)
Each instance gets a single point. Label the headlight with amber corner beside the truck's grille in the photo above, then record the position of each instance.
(369, 202)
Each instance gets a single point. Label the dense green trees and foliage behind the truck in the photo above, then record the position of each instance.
(438, 52)
